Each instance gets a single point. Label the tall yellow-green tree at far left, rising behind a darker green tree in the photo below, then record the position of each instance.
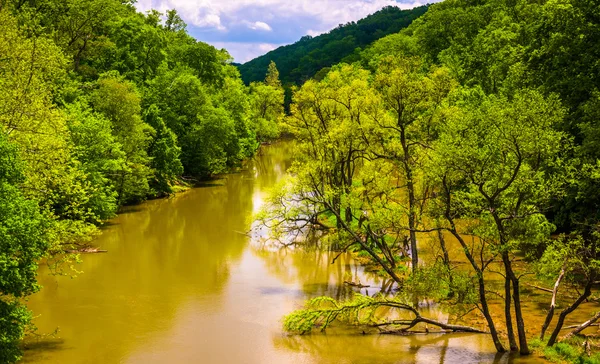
(29, 120)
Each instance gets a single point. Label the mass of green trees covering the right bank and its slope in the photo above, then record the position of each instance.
(477, 124)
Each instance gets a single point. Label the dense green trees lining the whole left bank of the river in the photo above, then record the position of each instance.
(101, 106)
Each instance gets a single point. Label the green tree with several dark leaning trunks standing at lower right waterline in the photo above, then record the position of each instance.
(491, 165)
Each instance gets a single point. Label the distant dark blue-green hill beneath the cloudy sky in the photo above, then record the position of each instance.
(300, 61)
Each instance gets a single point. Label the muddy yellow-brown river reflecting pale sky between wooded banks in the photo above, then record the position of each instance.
(181, 283)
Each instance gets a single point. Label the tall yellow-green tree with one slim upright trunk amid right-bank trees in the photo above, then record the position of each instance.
(411, 98)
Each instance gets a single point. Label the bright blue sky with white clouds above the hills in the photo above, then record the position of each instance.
(250, 28)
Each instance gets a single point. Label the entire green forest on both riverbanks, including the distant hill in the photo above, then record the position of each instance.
(454, 149)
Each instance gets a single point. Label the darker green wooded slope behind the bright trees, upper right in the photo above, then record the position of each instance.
(501, 47)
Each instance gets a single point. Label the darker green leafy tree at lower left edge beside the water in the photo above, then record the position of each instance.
(23, 241)
